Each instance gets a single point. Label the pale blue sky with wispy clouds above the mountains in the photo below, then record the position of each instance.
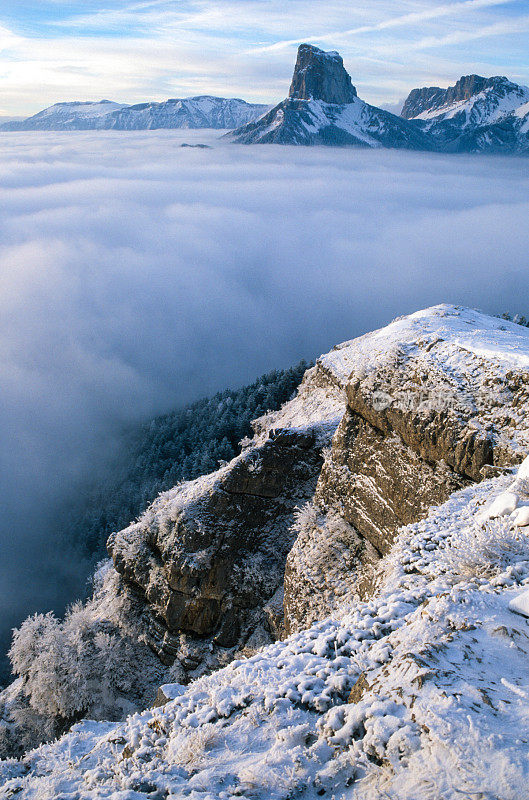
(153, 49)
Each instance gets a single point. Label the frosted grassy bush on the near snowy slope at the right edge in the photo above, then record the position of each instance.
(483, 550)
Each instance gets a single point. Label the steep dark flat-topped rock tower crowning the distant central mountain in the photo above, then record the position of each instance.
(320, 75)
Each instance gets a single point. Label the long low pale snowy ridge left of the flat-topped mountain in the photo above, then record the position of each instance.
(193, 112)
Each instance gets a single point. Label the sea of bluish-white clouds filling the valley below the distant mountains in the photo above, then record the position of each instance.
(137, 275)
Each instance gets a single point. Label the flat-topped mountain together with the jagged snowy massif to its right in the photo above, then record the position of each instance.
(476, 115)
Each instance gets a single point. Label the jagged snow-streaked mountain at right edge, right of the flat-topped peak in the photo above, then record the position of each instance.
(476, 115)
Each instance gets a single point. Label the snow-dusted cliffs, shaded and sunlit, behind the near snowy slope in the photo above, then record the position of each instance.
(382, 429)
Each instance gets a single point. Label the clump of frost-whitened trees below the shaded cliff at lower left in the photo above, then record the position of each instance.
(82, 664)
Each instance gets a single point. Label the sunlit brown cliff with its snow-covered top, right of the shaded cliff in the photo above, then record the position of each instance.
(428, 412)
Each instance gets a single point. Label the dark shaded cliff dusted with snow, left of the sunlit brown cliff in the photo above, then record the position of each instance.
(210, 556)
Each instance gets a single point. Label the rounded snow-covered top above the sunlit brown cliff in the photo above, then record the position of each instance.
(473, 362)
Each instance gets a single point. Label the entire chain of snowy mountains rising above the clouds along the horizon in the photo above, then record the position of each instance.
(475, 115)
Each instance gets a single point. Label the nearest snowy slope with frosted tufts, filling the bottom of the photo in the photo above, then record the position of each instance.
(419, 692)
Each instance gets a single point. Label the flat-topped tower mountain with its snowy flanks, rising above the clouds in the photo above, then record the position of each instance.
(323, 108)
